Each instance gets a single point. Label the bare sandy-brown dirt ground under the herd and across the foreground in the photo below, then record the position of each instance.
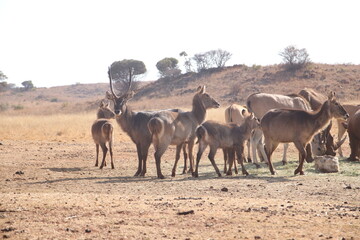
(51, 190)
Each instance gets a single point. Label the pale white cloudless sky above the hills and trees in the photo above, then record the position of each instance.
(63, 42)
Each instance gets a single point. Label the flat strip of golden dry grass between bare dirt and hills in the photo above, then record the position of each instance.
(62, 127)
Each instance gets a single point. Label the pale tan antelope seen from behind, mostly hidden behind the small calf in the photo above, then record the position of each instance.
(235, 114)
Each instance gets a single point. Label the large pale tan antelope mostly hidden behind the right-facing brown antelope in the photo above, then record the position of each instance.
(261, 103)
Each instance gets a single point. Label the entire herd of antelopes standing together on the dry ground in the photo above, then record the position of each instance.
(267, 120)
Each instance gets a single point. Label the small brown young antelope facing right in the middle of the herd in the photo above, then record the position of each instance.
(230, 136)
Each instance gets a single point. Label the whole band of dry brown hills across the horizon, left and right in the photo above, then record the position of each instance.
(228, 85)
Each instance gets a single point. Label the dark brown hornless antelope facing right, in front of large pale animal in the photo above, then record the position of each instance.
(298, 126)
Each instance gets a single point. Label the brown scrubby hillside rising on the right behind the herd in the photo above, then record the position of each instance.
(234, 84)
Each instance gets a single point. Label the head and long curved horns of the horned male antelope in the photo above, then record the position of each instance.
(119, 101)
